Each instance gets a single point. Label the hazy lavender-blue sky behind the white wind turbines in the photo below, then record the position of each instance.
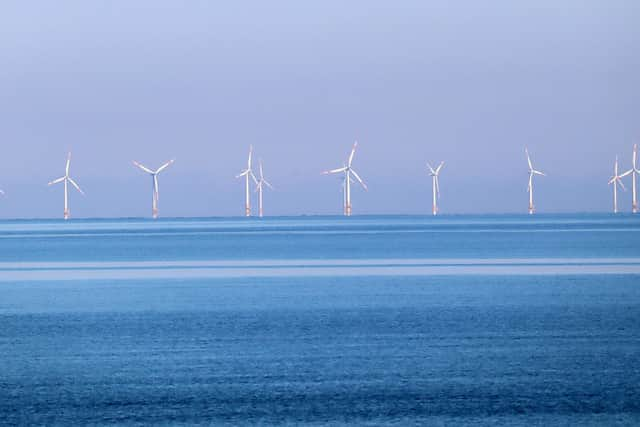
(471, 83)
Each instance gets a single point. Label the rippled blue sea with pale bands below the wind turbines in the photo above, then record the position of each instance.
(374, 320)
